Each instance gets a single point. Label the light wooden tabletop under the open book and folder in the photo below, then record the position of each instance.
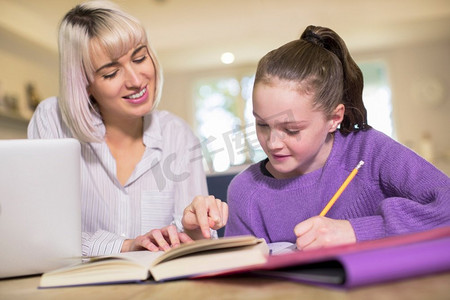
(430, 288)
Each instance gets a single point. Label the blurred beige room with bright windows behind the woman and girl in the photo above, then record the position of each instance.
(209, 50)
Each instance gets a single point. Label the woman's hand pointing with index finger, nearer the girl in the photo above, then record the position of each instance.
(203, 213)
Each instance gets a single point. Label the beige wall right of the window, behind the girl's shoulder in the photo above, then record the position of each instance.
(420, 83)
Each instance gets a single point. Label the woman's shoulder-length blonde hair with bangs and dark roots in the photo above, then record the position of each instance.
(116, 32)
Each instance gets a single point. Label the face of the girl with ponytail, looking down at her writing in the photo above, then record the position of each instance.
(295, 136)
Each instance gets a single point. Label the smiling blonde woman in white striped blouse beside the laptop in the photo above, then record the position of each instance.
(139, 172)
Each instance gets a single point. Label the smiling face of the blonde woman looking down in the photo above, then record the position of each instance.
(124, 88)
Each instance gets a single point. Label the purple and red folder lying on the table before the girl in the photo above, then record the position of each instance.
(366, 263)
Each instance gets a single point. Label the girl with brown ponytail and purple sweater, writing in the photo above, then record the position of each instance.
(311, 123)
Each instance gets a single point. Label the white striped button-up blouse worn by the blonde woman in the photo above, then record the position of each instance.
(168, 177)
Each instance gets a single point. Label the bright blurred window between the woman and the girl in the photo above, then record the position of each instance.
(224, 122)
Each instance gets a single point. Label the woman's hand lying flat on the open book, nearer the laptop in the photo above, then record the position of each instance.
(157, 239)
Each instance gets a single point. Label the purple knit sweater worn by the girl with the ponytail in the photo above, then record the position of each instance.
(395, 191)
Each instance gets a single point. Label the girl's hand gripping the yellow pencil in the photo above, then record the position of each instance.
(317, 232)
